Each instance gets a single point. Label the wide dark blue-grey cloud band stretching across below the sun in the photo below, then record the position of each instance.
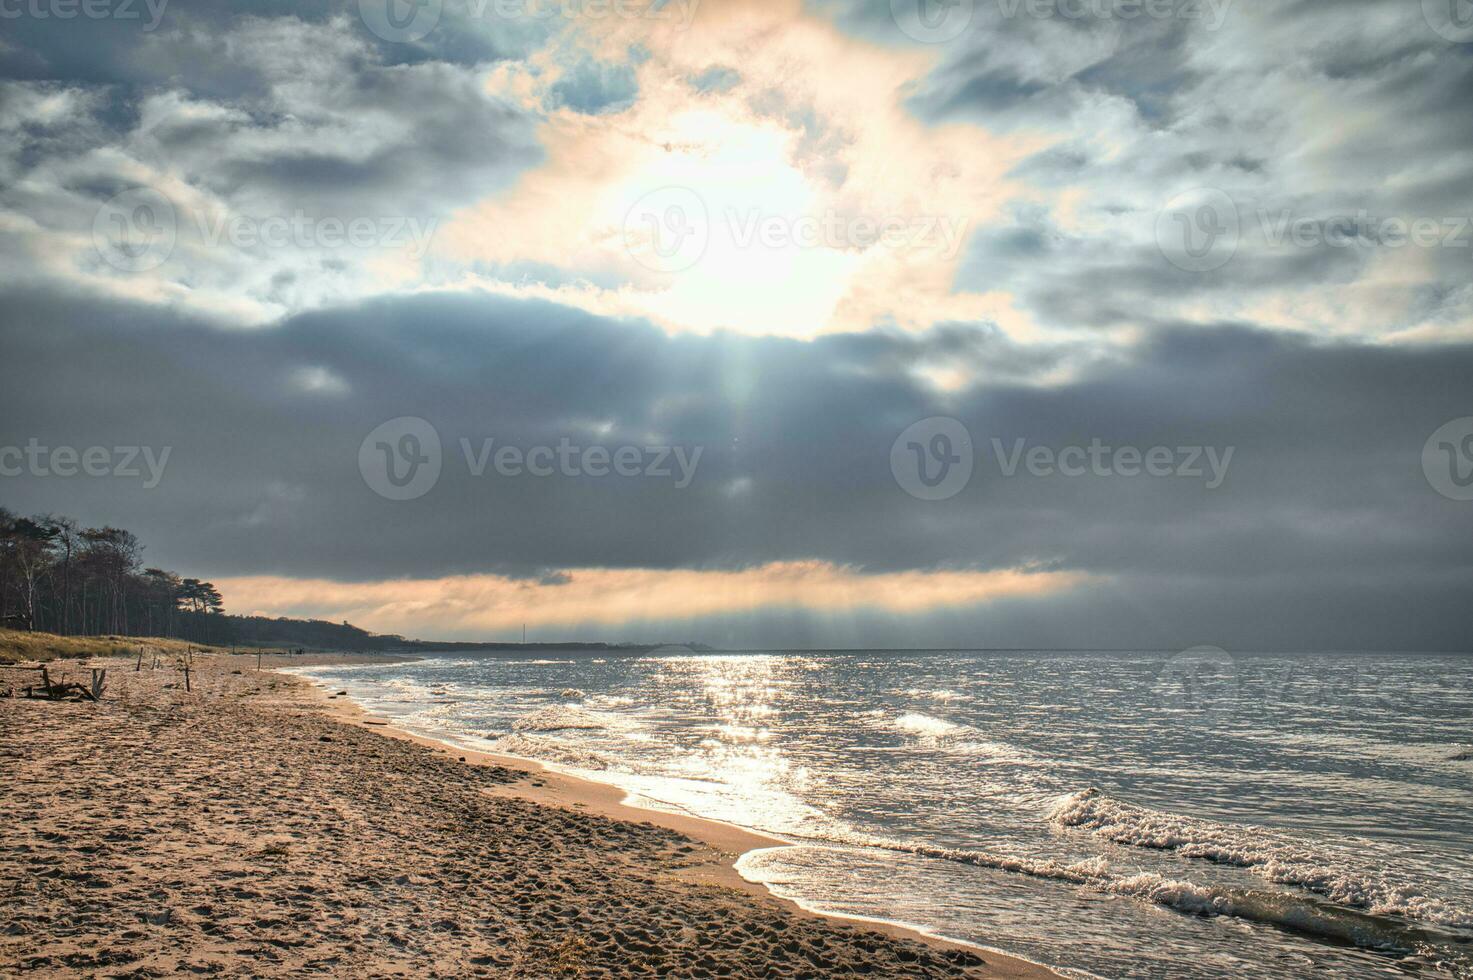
(1325, 508)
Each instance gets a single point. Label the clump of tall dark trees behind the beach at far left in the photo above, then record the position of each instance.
(61, 577)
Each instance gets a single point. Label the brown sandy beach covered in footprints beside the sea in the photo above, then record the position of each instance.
(259, 826)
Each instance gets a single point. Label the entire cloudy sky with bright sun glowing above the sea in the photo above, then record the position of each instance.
(1067, 323)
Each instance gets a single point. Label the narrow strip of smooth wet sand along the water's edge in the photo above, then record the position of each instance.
(571, 792)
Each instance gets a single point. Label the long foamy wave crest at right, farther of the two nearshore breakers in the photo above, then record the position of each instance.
(1269, 855)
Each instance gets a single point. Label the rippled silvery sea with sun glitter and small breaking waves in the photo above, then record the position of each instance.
(1119, 814)
